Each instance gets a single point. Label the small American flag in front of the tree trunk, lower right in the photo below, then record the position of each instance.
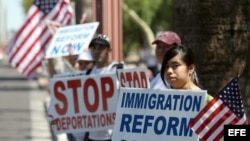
(226, 108)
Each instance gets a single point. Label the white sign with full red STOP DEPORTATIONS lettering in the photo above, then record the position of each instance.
(85, 103)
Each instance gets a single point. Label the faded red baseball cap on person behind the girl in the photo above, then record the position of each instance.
(168, 37)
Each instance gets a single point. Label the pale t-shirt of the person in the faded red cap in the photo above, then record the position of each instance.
(157, 83)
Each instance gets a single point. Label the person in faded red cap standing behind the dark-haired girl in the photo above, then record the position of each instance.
(163, 41)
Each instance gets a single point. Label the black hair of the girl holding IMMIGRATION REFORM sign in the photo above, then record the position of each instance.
(187, 56)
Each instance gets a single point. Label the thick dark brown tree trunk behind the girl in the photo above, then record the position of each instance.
(219, 33)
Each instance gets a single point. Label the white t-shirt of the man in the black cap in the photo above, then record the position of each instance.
(105, 134)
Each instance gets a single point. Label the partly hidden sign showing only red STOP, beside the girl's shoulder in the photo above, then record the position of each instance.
(133, 78)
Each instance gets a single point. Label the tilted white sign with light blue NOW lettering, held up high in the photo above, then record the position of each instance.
(71, 39)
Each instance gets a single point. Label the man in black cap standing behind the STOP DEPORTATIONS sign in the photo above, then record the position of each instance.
(100, 49)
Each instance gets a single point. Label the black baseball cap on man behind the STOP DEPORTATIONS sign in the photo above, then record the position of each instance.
(100, 39)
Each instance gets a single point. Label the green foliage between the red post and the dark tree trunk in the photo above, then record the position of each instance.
(157, 14)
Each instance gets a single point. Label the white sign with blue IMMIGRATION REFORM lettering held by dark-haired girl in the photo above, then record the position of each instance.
(156, 115)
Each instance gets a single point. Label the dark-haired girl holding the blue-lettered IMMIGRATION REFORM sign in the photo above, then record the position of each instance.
(178, 69)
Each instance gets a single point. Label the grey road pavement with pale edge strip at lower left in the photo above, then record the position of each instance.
(22, 112)
